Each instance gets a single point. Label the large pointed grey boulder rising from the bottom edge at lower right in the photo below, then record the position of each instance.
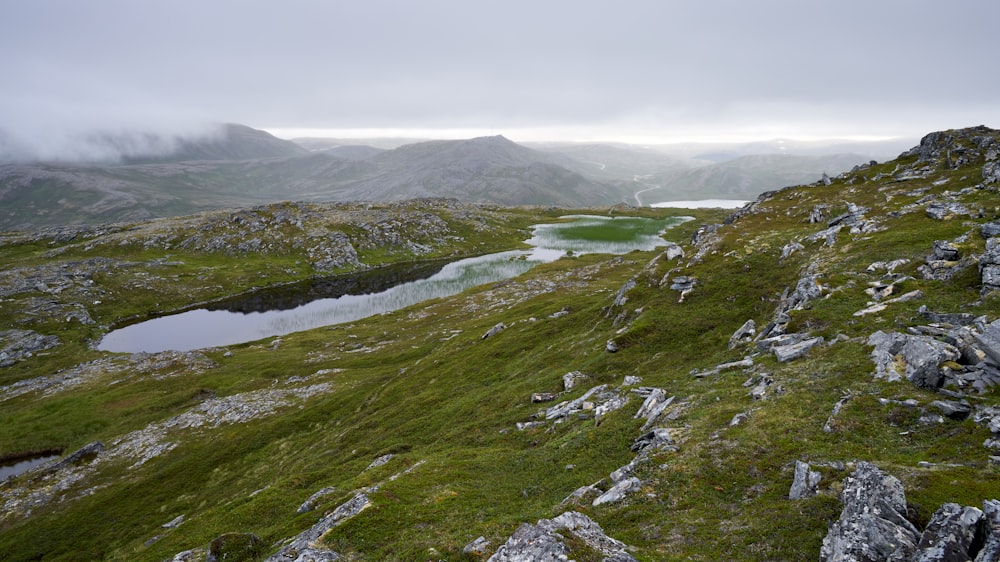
(873, 525)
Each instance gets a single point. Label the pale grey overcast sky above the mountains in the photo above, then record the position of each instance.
(645, 71)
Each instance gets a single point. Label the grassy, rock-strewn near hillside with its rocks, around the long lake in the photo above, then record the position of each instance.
(816, 376)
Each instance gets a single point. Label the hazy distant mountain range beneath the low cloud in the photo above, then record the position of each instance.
(240, 166)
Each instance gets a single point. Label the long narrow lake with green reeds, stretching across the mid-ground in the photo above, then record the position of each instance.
(294, 308)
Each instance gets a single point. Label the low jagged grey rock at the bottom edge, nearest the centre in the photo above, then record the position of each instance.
(544, 541)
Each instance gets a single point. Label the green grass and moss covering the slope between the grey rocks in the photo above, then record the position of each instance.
(421, 383)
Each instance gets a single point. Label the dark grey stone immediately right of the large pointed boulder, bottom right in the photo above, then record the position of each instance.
(950, 535)
